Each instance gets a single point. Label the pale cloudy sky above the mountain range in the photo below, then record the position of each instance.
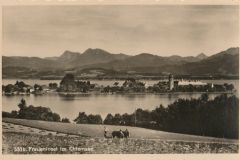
(164, 30)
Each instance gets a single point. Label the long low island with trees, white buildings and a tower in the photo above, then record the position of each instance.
(69, 85)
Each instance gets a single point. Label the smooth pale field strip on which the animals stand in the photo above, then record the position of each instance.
(97, 131)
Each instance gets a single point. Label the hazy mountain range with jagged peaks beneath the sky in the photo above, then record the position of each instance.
(224, 63)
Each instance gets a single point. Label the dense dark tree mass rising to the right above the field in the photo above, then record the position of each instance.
(218, 117)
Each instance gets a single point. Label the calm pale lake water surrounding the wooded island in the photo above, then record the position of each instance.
(99, 104)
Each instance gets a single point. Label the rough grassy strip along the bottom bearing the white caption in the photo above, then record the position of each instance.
(35, 144)
